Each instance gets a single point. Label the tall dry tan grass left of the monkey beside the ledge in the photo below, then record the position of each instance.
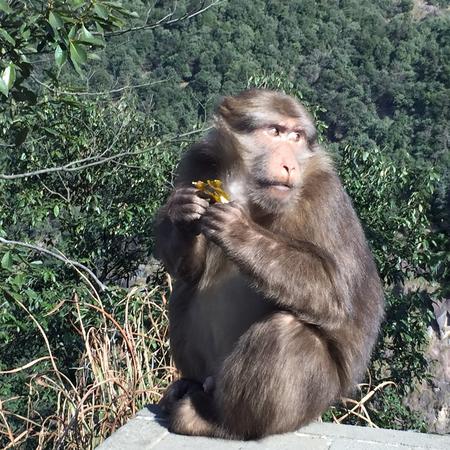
(124, 365)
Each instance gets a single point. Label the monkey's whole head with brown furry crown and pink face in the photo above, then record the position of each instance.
(277, 140)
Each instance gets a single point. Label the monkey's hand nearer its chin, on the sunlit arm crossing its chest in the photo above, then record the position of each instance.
(226, 225)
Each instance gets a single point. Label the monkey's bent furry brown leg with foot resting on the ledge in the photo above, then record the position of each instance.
(279, 377)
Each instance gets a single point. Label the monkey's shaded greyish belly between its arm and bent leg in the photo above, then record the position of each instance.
(217, 317)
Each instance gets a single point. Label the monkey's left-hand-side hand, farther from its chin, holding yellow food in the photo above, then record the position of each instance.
(185, 208)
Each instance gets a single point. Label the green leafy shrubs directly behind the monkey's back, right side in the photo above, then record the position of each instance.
(393, 199)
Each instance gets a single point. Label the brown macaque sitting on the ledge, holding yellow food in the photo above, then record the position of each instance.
(277, 302)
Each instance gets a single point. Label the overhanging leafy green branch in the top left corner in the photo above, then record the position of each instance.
(71, 30)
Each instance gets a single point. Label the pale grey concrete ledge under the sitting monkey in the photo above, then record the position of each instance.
(148, 431)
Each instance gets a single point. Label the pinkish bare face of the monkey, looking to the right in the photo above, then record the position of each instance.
(276, 155)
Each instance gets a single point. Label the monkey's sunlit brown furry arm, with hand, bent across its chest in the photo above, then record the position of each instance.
(298, 276)
